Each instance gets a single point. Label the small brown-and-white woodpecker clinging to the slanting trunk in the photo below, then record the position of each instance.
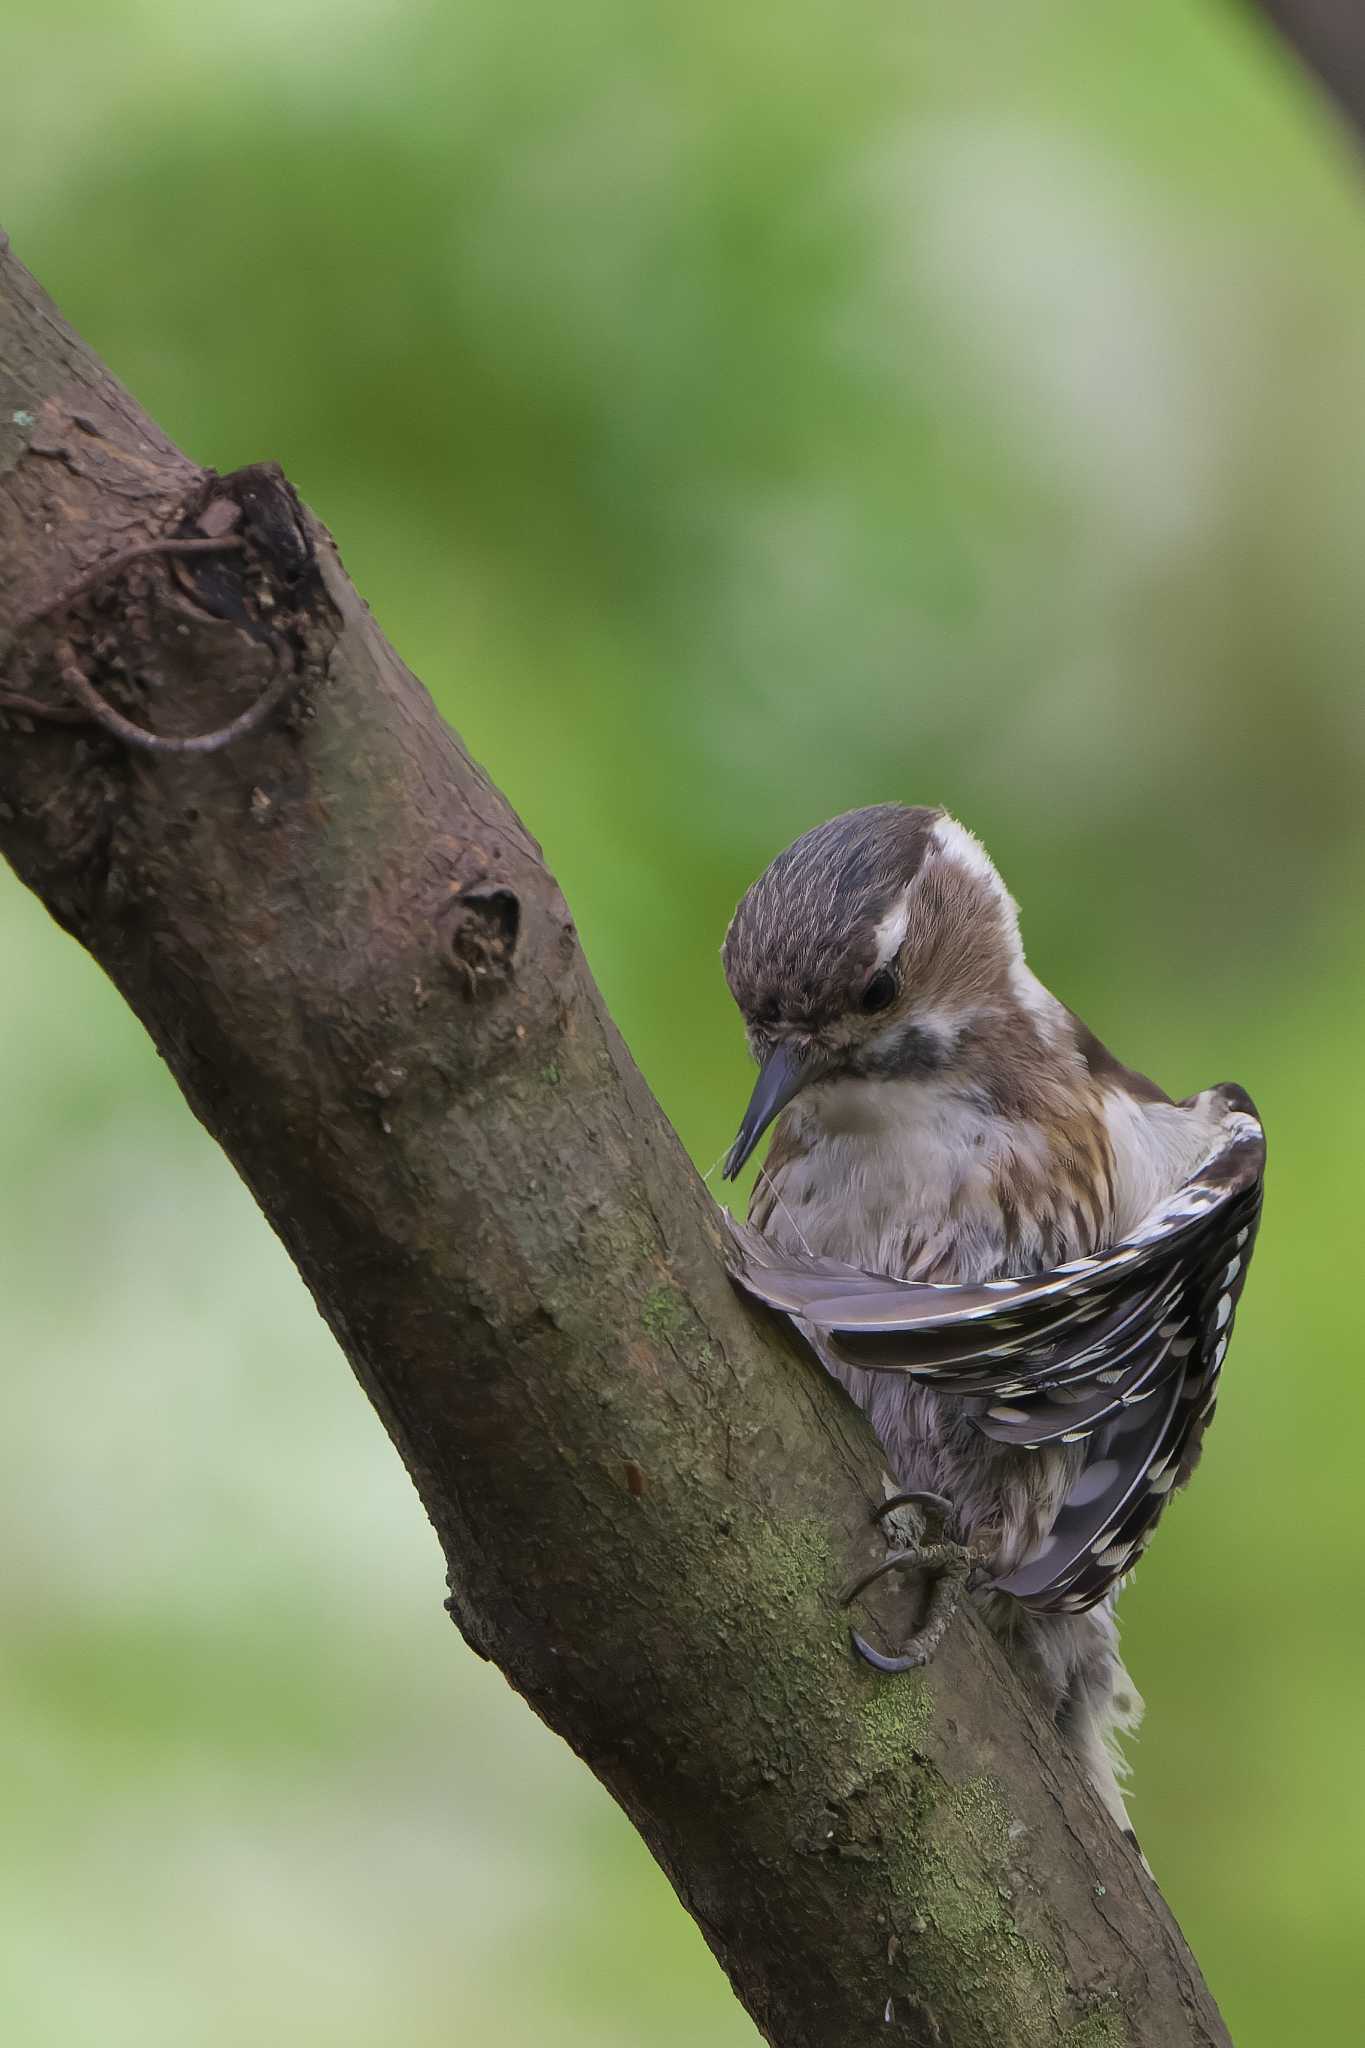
(1018, 1254)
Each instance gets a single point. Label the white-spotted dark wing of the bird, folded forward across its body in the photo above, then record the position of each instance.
(1118, 1353)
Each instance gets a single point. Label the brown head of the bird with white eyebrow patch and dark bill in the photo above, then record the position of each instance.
(871, 949)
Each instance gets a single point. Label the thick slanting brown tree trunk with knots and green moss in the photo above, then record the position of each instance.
(367, 984)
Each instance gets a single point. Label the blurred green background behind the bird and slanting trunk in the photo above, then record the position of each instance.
(734, 415)
